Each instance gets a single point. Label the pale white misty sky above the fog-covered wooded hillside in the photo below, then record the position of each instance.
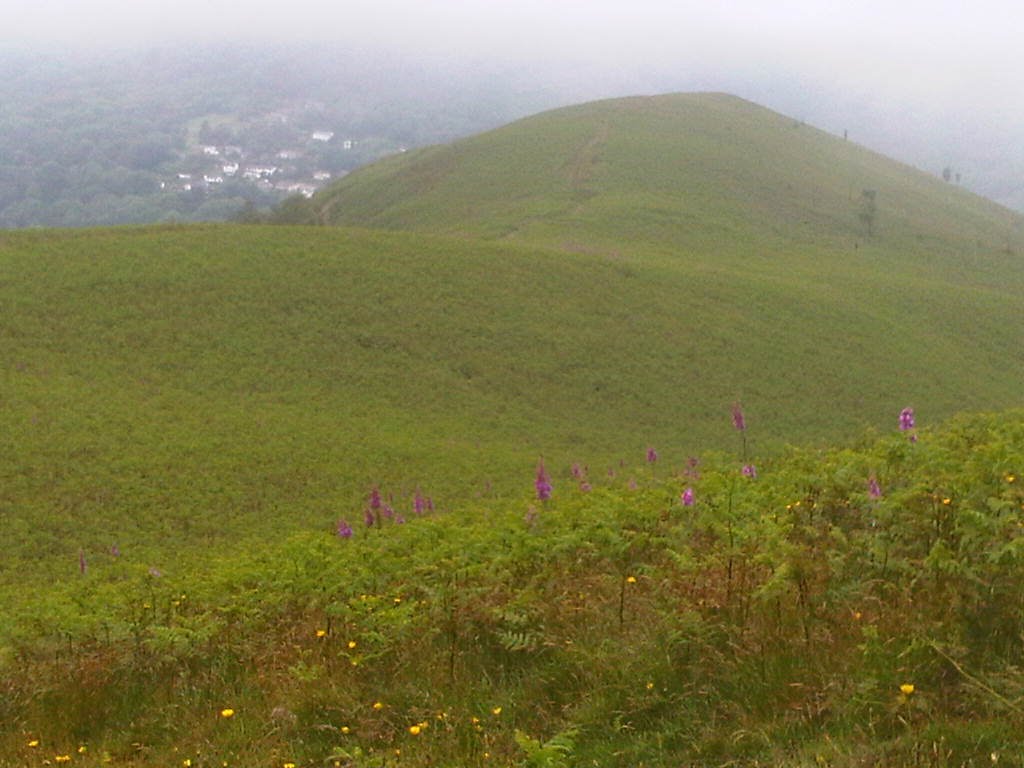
(918, 51)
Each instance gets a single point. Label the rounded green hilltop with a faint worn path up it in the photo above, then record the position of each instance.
(686, 174)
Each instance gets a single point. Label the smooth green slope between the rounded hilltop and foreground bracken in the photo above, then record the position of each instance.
(175, 388)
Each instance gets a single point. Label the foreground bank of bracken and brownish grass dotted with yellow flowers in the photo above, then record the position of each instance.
(792, 619)
